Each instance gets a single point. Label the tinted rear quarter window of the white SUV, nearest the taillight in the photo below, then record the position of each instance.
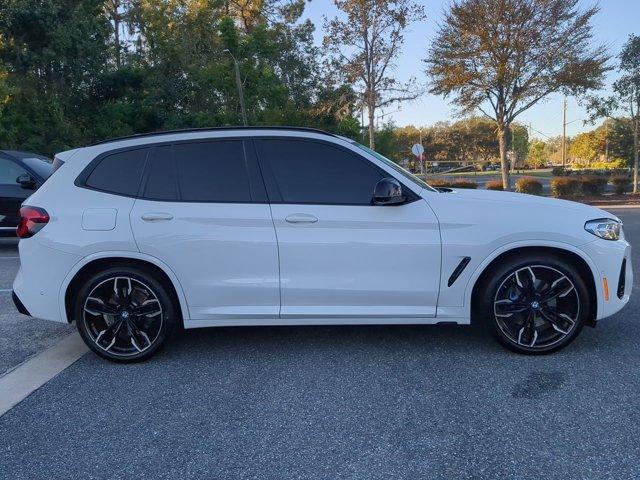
(119, 173)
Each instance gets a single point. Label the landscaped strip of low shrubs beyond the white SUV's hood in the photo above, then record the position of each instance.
(587, 187)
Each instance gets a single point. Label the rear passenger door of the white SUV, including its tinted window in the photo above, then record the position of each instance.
(204, 213)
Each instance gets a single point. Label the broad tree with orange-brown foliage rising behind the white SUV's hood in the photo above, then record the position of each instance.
(501, 57)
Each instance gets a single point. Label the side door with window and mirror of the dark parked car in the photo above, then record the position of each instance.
(12, 194)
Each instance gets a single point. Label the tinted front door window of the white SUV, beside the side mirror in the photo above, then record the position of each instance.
(316, 172)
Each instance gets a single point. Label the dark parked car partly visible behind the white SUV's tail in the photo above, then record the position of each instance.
(21, 173)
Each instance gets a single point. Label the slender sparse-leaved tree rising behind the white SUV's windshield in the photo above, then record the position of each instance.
(365, 45)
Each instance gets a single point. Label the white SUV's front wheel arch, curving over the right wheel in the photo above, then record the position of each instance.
(572, 255)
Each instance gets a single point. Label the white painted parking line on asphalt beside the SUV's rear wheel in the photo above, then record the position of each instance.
(19, 383)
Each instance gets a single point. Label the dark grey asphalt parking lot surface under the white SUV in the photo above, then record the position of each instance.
(330, 402)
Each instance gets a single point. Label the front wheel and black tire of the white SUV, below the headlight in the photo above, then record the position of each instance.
(535, 304)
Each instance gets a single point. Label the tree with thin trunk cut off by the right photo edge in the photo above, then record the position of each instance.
(626, 97)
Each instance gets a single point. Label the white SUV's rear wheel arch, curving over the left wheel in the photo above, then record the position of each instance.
(94, 263)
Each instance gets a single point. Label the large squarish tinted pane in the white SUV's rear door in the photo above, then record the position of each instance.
(212, 171)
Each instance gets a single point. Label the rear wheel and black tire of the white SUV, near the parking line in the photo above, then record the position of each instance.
(125, 314)
